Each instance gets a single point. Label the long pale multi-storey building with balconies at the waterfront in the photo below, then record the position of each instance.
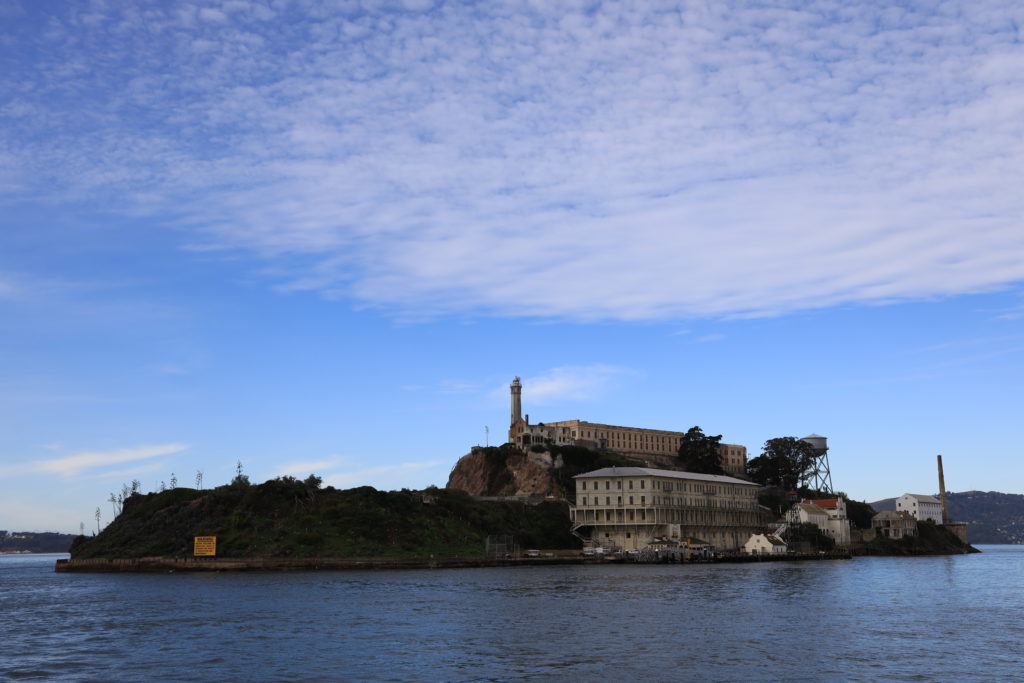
(630, 507)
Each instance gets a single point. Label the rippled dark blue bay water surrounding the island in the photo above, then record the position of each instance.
(894, 619)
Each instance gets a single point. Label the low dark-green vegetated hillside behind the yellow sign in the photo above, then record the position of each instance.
(289, 519)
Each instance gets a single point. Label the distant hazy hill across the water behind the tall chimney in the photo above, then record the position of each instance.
(993, 518)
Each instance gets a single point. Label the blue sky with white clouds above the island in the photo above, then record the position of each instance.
(324, 237)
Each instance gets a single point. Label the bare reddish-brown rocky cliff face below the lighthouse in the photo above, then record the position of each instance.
(493, 473)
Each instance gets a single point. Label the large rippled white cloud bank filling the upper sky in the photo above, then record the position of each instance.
(614, 161)
